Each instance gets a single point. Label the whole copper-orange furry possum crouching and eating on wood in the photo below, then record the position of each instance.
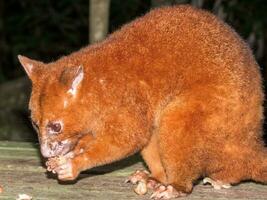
(178, 85)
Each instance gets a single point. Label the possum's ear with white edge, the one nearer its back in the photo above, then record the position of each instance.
(72, 77)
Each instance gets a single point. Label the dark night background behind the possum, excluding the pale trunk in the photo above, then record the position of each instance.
(48, 29)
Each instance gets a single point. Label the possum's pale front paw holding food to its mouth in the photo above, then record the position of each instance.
(64, 167)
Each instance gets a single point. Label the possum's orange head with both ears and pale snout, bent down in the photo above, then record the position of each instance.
(56, 104)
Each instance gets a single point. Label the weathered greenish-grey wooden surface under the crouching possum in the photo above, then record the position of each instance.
(21, 172)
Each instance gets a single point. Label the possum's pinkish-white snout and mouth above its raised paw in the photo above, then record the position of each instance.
(55, 148)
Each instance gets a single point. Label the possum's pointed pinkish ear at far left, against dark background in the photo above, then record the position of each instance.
(31, 67)
